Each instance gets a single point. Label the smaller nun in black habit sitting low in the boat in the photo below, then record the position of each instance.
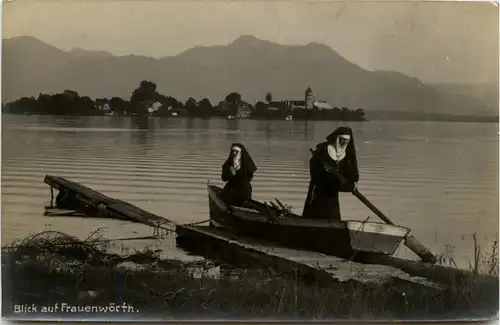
(237, 172)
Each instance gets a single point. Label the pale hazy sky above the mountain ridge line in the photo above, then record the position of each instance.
(433, 41)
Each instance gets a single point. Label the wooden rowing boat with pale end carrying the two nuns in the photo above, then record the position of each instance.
(275, 224)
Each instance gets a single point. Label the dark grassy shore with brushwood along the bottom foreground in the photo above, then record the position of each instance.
(54, 269)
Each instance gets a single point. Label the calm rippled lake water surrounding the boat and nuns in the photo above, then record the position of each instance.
(438, 178)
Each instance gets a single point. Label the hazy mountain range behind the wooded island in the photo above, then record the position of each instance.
(248, 65)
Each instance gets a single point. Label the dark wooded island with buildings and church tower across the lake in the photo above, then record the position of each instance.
(147, 101)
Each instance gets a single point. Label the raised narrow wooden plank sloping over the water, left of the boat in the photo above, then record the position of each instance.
(104, 205)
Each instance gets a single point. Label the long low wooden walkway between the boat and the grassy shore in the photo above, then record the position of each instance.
(324, 268)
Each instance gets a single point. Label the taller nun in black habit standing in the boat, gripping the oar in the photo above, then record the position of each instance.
(333, 169)
